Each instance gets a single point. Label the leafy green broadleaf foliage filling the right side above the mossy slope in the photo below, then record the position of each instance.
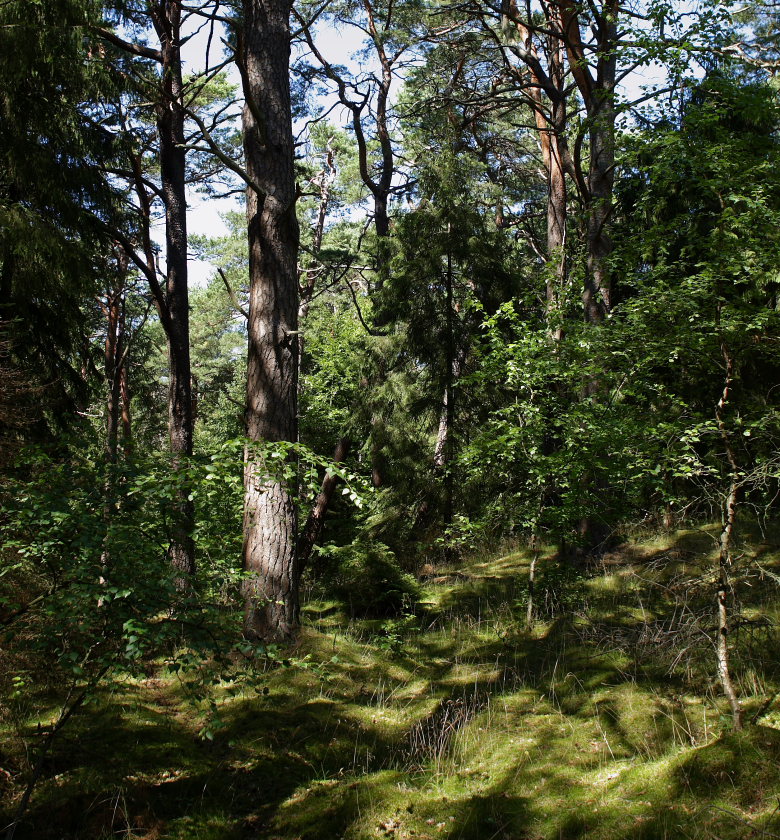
(612, 422)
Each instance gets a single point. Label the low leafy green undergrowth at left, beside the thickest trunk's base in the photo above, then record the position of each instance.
(94, 539)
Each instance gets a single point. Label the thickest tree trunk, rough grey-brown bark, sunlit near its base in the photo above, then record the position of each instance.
(270, 516)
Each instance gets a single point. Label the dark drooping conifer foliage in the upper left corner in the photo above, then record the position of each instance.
(55, 197)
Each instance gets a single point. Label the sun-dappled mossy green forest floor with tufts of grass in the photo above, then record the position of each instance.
(457, 722)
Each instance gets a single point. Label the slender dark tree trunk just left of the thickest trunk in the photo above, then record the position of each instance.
(170, 124)
